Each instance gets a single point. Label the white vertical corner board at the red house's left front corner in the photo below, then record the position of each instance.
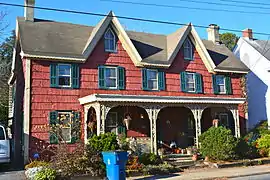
(27, 109)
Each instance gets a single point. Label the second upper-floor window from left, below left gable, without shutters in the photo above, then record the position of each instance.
(111, 77)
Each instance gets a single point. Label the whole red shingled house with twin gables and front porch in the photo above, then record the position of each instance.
(172, 86)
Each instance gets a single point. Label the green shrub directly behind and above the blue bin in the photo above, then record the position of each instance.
(103, 142)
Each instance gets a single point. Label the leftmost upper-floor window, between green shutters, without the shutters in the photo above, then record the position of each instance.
(64, 75)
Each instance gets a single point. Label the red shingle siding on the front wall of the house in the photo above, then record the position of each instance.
(45, 99)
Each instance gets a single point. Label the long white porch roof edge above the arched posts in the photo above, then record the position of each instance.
(158, 99)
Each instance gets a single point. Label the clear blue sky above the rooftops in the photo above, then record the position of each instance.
(239, 21)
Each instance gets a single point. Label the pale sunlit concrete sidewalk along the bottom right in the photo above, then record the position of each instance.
(207, 173)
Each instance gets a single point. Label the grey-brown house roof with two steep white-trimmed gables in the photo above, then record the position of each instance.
(71, 42)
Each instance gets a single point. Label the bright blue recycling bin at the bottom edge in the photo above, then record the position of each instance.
(115, 164)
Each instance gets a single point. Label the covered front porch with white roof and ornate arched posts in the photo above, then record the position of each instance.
(155, 120)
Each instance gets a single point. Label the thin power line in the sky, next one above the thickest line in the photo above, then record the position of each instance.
(186, 7)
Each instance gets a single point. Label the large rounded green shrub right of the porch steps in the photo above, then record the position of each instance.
(218, 144)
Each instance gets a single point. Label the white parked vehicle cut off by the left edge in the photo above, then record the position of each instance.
(4, 146)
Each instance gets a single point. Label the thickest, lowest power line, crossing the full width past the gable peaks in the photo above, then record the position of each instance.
(123, 17)
